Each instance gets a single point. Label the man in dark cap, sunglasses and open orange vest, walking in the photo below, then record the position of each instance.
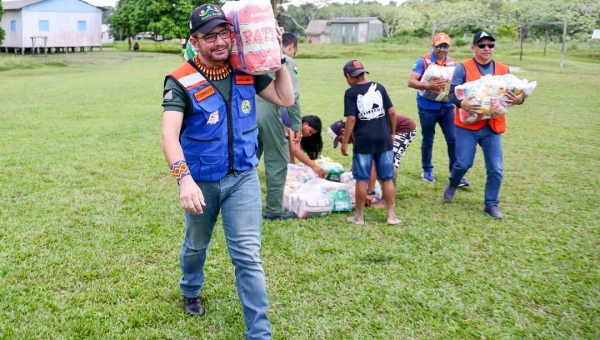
(487, 133)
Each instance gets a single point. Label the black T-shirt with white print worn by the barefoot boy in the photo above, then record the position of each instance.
(369, 103)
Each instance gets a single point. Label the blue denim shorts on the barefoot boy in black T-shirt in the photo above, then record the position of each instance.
(384, 164)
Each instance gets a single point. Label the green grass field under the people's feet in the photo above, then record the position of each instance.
(91, 227)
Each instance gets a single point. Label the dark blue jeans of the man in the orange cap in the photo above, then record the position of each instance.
(428, 120)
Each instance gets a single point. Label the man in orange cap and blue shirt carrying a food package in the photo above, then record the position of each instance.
(431, 110)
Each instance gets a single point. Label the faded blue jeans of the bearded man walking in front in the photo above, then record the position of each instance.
(238, 198)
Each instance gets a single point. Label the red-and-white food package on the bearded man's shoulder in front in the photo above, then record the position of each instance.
(255, 49)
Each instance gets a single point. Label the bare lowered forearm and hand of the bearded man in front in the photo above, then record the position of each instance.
(190, 195)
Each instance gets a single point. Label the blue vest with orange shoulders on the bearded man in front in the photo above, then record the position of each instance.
(218, 138)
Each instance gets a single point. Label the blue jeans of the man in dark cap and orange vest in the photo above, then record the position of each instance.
(466, 146)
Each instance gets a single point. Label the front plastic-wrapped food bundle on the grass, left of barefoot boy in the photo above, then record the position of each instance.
(319, 197)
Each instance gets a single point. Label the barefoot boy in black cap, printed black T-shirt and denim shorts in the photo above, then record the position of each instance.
(370, 115)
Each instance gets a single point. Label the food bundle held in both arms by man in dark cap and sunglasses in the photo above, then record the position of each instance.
(489, 92)
